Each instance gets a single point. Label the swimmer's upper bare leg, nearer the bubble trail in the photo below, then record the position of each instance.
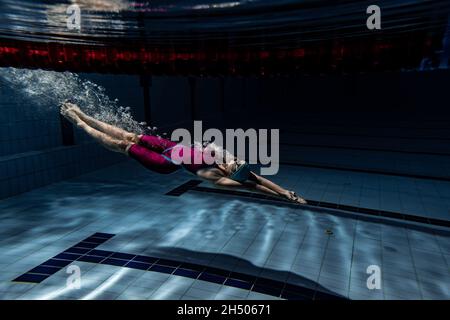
(115, 132)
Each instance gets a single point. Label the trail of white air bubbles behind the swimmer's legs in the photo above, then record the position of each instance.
(48, 89)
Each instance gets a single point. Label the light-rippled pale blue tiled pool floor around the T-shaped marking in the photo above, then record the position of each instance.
(125, 212)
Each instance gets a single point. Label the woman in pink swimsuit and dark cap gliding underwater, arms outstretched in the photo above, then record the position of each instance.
(156, 154)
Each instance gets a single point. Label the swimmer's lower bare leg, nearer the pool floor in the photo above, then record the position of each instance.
(107, 141)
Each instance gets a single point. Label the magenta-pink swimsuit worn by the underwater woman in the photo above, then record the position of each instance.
(155, 153)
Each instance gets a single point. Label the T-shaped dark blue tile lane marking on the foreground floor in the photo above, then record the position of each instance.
(188, 270)
